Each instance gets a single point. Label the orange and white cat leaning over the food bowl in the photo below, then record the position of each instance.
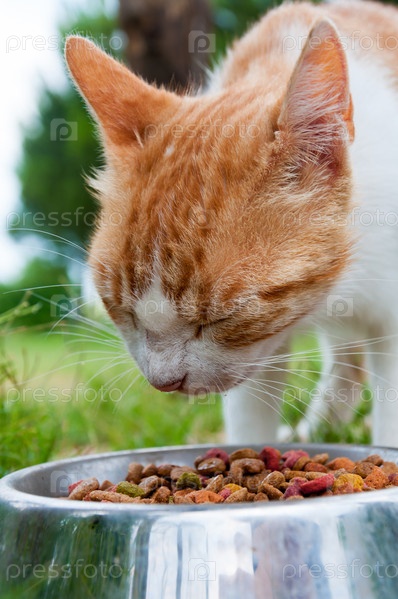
(262, 205)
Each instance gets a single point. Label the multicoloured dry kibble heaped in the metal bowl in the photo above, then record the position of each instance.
(244, 475)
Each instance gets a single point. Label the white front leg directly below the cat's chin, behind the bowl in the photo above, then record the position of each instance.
(252, 410)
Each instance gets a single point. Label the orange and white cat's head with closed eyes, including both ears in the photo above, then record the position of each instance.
(223, 218)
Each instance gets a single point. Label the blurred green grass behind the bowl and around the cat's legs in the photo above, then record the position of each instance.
(76, 390)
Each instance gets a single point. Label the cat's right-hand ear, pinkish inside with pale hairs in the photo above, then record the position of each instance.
(317, 108)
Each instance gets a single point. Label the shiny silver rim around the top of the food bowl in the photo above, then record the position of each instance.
(10, 494)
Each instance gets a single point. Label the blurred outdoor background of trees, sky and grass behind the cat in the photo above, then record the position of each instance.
(67, 385)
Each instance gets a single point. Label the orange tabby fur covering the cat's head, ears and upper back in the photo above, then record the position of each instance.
(237, 198)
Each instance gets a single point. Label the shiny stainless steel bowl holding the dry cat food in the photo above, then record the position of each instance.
(339, 547)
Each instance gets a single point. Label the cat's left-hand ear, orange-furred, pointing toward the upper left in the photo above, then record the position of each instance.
(123, 104)
